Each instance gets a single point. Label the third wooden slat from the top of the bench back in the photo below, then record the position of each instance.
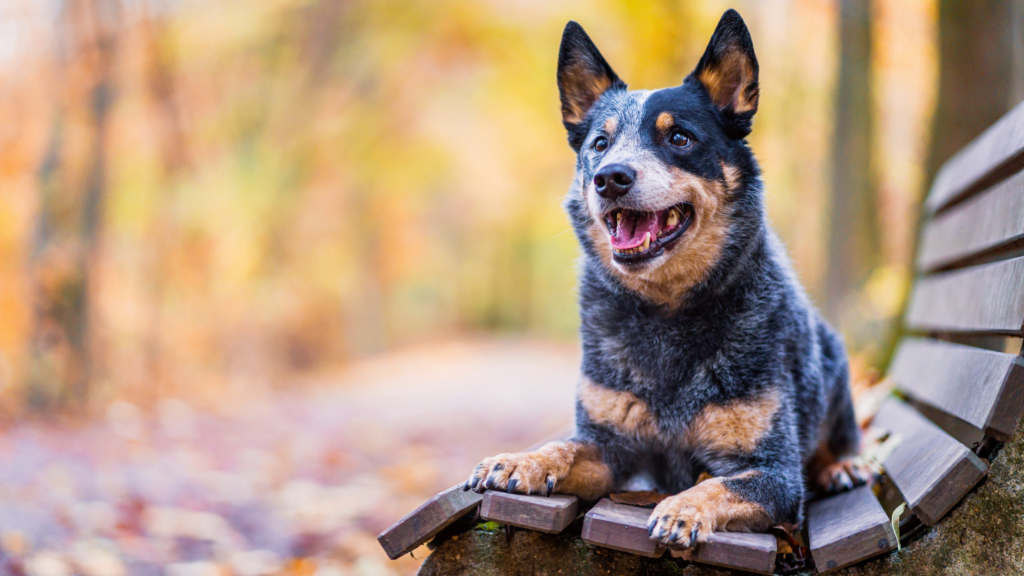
(986, 299)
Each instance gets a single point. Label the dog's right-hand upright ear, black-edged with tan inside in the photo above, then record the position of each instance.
(729, 70)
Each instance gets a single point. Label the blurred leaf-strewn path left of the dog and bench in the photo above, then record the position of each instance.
(293, 483)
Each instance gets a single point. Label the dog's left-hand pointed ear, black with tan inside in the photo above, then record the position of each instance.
(583, 77)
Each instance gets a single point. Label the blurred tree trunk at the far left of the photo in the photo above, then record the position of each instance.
(66, 241)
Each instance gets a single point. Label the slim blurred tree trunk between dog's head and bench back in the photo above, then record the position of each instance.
(855, 243)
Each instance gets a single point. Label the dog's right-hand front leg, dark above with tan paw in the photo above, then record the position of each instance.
(751, 502)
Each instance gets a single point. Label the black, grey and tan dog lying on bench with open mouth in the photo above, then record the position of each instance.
(702, 353)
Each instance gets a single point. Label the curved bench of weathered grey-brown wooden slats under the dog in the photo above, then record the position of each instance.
(955, 400)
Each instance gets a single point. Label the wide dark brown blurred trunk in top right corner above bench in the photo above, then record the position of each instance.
(982, 72)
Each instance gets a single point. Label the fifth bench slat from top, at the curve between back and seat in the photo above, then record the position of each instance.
(930, 468)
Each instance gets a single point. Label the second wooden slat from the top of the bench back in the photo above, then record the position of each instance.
(992, 221)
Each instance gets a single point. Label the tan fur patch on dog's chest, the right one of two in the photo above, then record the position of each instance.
(735, 428)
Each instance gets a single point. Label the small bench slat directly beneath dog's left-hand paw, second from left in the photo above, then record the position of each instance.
(545, 514)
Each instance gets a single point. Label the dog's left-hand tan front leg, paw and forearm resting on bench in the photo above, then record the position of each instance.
(565, 467)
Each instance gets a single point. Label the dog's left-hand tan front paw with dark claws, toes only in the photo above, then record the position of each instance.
(527, 473)
